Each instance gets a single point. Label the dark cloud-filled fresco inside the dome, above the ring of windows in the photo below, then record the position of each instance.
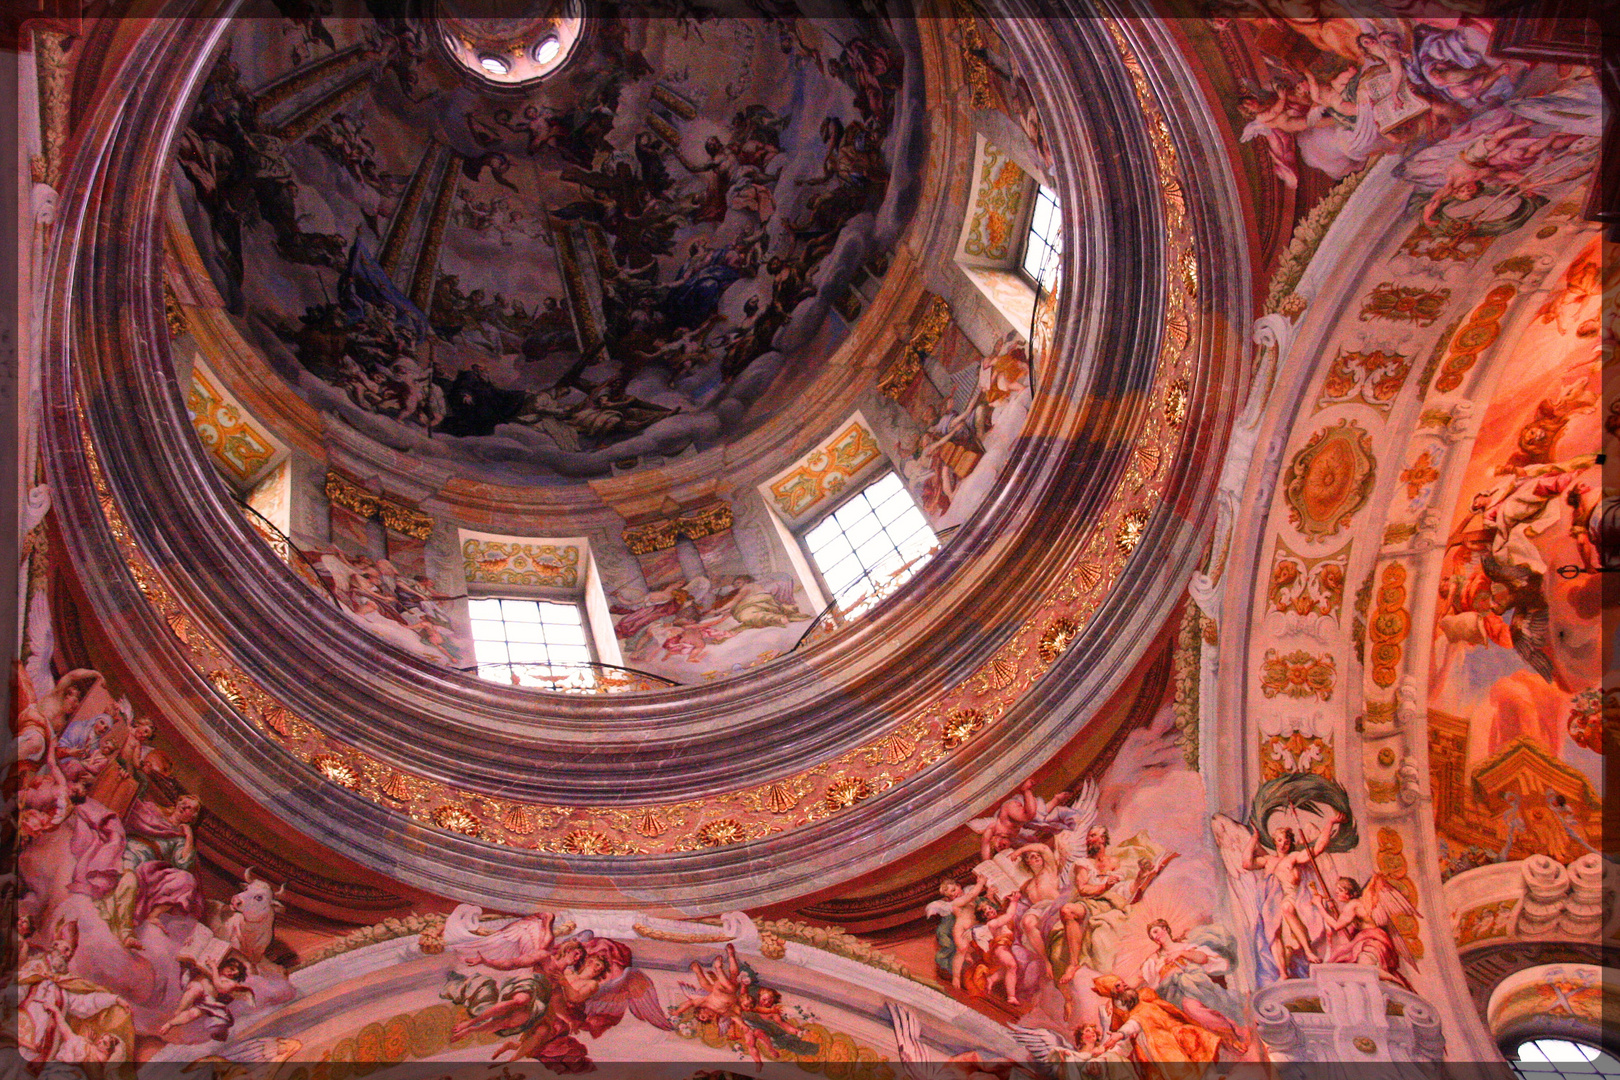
(633, 257)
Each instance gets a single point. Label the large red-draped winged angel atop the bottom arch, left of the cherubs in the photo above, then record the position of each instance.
(576, 984)
